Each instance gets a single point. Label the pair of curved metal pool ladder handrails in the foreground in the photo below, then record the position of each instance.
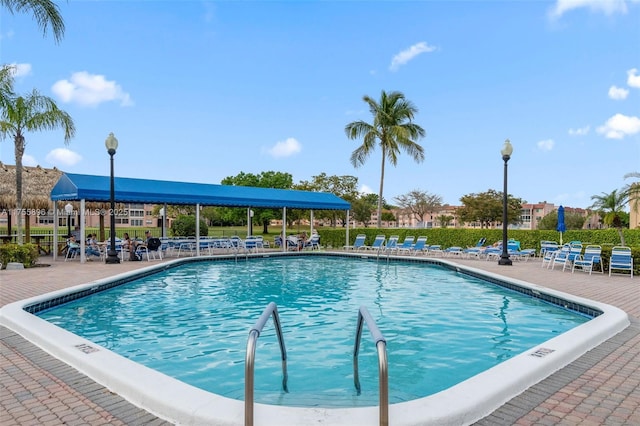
(363, 316)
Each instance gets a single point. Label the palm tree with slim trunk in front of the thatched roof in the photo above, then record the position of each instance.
(31, 113)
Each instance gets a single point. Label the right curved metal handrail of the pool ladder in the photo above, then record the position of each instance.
(381, 346)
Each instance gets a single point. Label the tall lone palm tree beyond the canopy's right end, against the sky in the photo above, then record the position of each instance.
(393, 129)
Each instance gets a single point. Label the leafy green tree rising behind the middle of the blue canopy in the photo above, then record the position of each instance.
(263, 180)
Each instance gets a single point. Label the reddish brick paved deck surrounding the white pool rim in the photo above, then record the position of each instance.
(600, 388)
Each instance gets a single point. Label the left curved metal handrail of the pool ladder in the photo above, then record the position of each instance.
(254, 333)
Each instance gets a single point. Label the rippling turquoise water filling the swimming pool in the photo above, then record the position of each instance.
(192, 322)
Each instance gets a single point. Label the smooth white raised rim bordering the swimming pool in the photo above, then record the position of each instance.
(183, 404)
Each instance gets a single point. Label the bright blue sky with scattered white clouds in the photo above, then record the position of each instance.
(197, 91)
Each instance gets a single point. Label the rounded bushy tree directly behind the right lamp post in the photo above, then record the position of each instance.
(487, 208)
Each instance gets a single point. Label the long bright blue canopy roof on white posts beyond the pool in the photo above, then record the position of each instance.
(73, 187)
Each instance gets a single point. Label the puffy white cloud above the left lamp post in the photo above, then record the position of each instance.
(90, 90)
